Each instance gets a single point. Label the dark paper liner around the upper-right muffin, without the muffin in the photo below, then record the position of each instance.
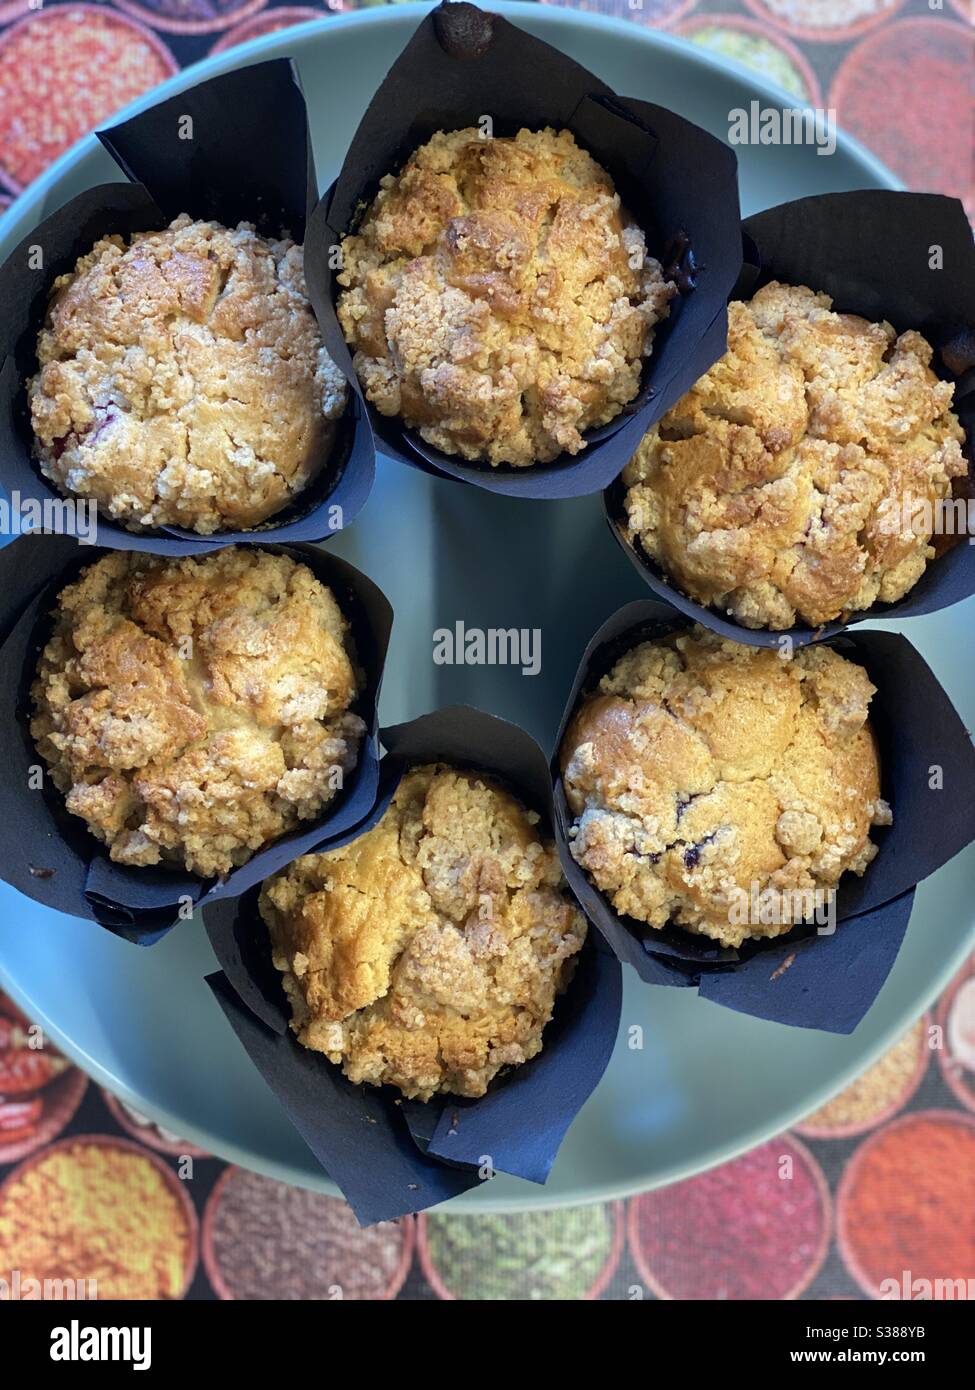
(871, 252)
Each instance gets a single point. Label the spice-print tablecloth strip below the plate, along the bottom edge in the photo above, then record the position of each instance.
(883, 1186)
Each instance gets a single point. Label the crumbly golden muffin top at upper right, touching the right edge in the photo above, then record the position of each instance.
(775, 489)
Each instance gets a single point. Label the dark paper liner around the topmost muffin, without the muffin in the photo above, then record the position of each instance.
(678, 181)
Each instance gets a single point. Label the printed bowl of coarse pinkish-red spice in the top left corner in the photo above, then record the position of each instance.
(63, 72)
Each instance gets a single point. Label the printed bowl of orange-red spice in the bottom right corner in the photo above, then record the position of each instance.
(905, 1207)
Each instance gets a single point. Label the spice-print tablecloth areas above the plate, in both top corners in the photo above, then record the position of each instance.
(896, 72)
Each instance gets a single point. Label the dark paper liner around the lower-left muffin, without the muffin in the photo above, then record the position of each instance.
(51, 856)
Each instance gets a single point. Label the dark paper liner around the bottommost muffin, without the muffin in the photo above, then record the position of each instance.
(392, 1156)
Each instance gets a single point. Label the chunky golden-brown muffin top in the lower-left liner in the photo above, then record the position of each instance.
(191, 711)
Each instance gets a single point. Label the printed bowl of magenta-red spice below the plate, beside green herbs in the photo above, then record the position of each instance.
(741, 1231)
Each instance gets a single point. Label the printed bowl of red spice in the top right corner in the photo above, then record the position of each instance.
(906, 94)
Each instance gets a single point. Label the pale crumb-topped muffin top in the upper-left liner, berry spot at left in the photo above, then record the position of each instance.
(183, 379)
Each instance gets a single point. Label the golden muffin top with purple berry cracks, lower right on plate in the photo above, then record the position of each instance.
(702, 768)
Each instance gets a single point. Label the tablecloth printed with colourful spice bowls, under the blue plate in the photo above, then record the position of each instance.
(878, 1185)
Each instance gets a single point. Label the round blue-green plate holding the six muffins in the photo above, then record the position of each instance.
(707, 1084)
